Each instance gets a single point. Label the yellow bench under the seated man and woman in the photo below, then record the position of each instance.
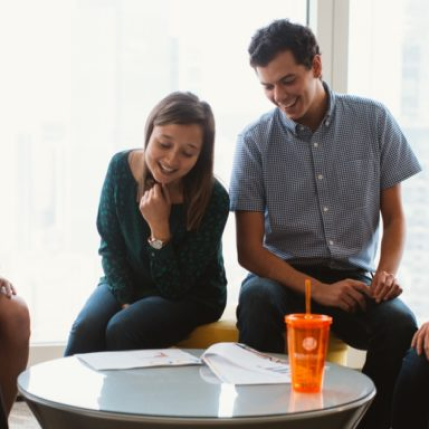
(225, 330)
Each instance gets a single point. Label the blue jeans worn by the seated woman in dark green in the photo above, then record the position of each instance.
(151, 322)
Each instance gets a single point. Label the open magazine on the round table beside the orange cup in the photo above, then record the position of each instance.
(237, 363)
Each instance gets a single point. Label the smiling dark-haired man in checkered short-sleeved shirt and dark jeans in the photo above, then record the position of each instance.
(309, 182)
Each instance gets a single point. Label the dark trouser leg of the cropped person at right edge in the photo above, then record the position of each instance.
(411, 395)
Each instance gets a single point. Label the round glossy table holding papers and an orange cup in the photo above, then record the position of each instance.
(65, 393)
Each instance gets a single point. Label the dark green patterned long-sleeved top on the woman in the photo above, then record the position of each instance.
(191, 264)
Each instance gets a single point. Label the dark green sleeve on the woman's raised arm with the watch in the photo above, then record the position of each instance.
(180, 266)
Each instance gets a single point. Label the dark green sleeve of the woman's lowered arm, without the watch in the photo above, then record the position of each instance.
(112, 247)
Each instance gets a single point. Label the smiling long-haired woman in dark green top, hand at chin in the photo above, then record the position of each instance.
(161, 218)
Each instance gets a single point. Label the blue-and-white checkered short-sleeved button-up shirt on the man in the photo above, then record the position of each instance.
(320, 192)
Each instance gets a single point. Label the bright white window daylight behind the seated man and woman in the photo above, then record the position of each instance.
(78, 78)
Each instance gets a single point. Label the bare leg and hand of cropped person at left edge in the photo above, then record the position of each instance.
(14, 341)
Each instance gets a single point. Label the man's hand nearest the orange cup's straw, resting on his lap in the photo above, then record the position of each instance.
(349, 295)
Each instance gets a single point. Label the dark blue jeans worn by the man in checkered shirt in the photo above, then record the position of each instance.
(384, 330)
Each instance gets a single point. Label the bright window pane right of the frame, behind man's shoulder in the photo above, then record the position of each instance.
(387, 61)
